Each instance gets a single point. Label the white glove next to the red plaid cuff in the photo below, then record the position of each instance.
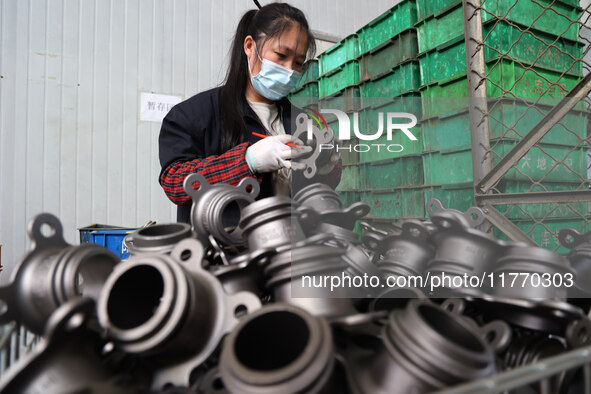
(269, 154)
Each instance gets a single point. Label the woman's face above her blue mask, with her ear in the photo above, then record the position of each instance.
(288, 50)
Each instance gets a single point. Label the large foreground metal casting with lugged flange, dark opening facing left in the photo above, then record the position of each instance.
(170, 311)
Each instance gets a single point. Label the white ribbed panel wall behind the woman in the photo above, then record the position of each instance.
(71, 75)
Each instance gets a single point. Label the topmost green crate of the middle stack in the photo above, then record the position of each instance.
(397, 19)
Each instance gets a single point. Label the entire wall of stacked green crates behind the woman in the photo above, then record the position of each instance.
(413, 56)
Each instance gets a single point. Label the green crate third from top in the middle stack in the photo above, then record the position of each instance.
(403, 78)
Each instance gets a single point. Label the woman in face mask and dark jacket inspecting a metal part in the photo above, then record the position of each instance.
(211, 133)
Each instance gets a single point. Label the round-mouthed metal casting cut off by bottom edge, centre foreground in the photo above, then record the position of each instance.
(278, 349)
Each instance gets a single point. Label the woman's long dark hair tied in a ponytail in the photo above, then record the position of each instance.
(268, 22)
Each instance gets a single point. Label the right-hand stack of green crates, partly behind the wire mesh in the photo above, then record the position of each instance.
(521, 62)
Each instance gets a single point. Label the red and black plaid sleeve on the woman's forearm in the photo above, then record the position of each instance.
(229, 167)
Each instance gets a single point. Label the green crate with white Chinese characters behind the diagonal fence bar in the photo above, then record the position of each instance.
(456, 166)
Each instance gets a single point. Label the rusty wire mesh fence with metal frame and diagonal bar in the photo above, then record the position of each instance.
(536, 57)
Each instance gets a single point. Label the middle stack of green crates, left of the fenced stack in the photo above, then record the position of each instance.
(387, 68)
